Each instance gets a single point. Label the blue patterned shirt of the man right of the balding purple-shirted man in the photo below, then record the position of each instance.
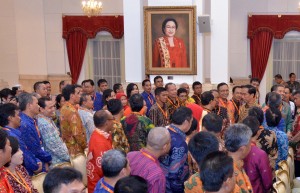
(175, 164)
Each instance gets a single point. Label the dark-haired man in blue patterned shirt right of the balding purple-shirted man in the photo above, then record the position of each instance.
(175, 164)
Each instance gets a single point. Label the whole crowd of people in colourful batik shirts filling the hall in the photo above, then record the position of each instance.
(160, 140)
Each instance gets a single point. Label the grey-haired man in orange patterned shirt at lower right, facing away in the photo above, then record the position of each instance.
(238, 145)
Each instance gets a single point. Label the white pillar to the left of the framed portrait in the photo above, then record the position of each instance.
(134, 40)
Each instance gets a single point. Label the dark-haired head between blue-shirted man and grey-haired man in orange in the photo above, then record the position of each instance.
(202, 144)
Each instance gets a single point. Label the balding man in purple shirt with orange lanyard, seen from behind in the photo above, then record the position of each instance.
(145, 163)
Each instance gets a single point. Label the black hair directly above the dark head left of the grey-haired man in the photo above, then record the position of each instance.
(212, 122)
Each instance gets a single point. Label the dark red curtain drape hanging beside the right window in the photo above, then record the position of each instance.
(260, 46)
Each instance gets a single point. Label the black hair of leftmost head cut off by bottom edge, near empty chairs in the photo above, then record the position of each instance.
(58, 176)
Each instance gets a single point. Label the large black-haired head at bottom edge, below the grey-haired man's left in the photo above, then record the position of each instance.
(217, 173)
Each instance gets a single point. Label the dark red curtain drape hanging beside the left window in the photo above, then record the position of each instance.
(76, 45)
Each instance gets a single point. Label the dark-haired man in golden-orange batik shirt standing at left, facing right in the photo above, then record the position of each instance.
(72, 131)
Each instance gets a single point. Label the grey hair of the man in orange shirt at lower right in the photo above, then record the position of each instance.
(236, 136)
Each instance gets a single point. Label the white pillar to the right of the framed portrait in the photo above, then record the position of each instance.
(220, 11)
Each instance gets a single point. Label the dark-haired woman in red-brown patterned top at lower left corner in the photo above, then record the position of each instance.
(17, 175)
